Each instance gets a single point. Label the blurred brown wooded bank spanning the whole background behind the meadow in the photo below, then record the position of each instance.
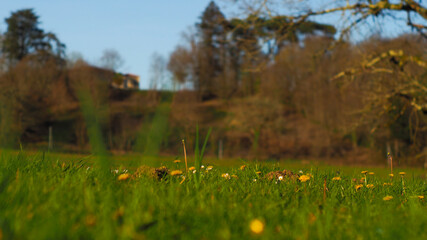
(269, 87)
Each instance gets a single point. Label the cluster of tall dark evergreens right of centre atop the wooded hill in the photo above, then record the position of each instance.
(222, 58)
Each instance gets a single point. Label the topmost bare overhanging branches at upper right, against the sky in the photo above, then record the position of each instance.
(354, 12)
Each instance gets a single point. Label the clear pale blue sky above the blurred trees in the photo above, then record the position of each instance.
(136, 28)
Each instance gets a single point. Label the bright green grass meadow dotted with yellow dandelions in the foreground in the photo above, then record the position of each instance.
(56, 196)
